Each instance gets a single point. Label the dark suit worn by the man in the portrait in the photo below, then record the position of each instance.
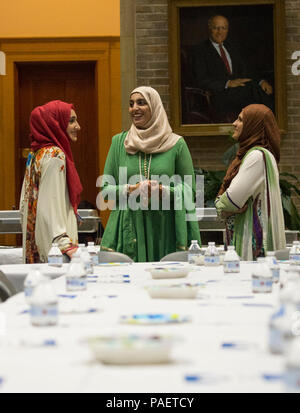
(210, 73)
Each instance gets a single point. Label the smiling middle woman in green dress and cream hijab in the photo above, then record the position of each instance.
(150, 177)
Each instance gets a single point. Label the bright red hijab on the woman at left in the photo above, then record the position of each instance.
(48, 127)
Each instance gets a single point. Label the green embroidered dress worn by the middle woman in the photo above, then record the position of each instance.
(147, 234)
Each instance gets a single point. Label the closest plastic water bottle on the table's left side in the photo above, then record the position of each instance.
(44, 305)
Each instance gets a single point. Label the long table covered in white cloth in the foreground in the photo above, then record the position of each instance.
(225, 311)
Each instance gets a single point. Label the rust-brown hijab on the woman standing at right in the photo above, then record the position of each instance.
(259, 129)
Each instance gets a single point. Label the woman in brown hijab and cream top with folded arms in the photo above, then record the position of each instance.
(249, 198)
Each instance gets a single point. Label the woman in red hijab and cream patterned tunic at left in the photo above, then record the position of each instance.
(51, 187)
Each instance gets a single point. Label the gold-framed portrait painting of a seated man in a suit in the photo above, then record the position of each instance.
(224, 55)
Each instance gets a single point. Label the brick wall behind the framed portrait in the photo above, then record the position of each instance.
(151, 42)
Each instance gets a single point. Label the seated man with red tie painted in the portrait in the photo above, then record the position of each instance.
(219, 68)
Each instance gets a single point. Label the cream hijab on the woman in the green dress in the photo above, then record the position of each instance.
(158, 136)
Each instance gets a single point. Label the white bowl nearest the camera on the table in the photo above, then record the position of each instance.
(131, 349)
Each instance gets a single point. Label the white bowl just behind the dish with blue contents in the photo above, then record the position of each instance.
(183, 290)
